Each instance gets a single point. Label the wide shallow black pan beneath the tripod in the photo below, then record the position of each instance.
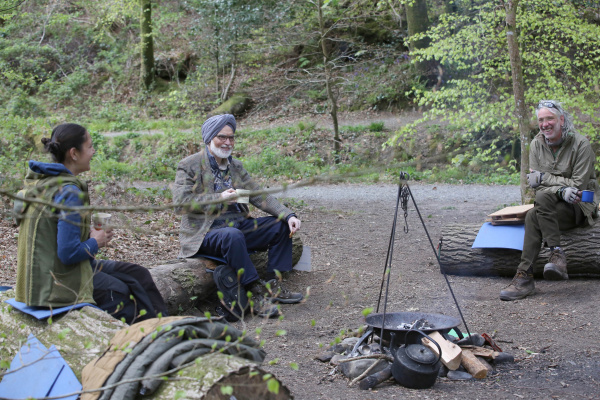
(394, 321)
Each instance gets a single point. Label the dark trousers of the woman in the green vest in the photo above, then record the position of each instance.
(115, 282)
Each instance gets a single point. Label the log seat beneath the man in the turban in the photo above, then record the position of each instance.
(184, 282)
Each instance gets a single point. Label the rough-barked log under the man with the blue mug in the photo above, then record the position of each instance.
(582, 247)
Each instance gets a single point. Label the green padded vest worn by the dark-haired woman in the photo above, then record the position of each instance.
(42, 279)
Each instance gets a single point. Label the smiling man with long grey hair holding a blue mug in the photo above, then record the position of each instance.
(562, 166)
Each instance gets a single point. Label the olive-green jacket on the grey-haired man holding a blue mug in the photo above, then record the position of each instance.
(572, 166)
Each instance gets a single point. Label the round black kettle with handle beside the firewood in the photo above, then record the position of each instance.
(415, 366)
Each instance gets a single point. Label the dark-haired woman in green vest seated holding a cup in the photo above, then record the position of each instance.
(56, 266)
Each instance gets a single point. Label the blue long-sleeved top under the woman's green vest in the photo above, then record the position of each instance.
(71, 249)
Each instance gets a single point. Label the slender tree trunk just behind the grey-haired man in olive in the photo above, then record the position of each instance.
(516, 67)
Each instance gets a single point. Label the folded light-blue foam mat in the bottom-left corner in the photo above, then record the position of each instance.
(39, 372)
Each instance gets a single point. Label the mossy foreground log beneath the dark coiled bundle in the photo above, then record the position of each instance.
(84, 334)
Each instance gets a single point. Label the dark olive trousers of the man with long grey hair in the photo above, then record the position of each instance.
(544, 222)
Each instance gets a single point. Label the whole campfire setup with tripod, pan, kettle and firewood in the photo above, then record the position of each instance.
(413, 348)
